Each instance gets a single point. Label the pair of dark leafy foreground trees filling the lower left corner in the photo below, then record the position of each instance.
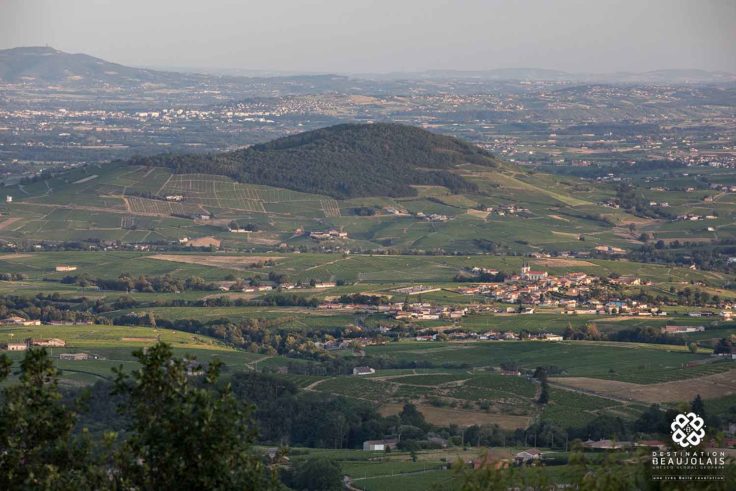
(178, 433)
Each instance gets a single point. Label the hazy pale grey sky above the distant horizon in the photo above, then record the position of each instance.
(383, 35)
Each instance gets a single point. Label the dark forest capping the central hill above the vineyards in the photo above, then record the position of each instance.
(343, 161)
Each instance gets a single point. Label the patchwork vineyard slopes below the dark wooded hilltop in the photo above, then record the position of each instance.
(143, 204)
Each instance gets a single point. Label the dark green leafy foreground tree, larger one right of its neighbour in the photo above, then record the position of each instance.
(185, 431)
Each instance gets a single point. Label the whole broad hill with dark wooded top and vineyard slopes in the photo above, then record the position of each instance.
(386, 186)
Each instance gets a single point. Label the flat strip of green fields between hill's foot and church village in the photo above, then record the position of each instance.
(386, 271)
